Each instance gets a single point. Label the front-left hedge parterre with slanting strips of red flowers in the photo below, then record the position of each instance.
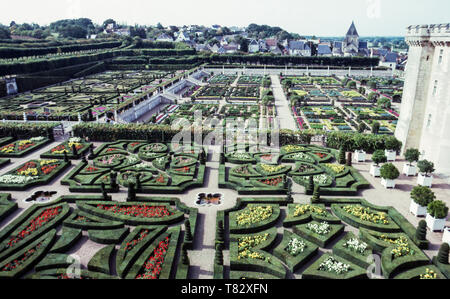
(30, 246)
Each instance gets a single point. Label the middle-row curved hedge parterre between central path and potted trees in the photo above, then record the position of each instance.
(252, 170)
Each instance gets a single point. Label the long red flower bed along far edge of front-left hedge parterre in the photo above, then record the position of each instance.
(142, 211)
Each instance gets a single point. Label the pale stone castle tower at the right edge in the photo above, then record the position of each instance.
(424, 121)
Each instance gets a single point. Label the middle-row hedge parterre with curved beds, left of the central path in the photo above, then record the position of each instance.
(151, 167)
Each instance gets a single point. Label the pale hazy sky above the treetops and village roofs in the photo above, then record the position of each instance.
(305, 17)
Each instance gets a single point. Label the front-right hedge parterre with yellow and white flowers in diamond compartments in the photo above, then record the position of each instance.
(266, 243)
